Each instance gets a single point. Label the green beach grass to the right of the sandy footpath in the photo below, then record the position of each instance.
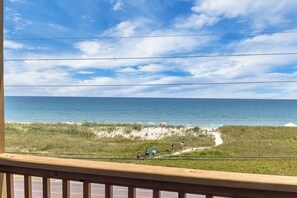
(271, 144)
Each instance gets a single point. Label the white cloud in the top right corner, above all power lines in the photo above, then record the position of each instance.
(260, 14)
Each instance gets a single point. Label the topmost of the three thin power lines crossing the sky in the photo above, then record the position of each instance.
(152, 36)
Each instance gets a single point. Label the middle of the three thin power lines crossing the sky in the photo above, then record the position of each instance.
(152, 57)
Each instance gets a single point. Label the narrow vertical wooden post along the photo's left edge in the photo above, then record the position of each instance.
(2, 145)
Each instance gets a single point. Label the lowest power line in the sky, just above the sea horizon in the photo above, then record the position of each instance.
(157, 84)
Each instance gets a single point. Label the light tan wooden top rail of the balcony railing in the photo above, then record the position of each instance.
(153, 173)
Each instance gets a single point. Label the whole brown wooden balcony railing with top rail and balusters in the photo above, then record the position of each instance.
(182, 181)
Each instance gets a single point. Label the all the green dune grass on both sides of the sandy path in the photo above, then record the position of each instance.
(239, 142)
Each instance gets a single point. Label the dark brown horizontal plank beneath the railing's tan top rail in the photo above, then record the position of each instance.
(152, 184)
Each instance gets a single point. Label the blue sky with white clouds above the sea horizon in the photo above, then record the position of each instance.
(82, 29)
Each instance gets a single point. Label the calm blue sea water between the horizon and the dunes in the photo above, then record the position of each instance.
(194, 112)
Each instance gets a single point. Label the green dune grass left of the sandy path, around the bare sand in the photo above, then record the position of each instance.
(55, 139)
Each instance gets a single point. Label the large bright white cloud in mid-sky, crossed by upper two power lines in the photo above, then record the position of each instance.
(136, 47)
